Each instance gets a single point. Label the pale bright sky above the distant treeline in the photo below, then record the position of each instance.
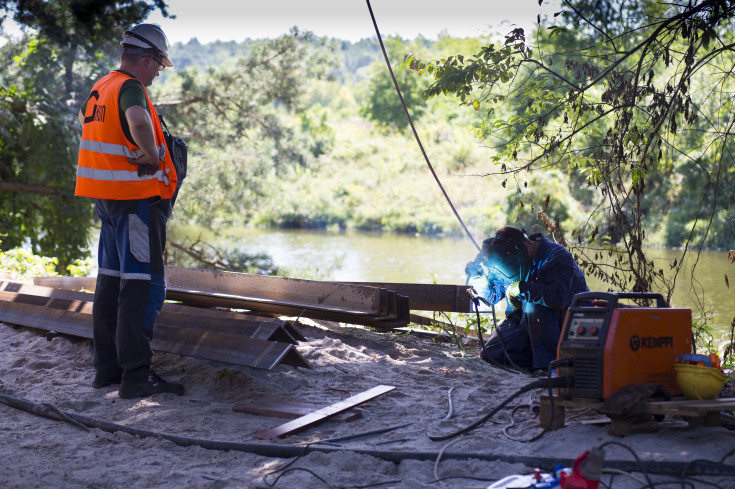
(237, 20)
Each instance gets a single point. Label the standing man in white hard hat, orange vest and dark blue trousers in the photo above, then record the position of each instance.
(125, 166)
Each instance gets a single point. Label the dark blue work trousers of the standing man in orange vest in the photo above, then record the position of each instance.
(130, 287)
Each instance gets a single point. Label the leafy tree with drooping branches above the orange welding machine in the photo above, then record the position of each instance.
(631, 98)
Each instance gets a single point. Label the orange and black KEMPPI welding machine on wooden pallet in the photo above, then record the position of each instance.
(610, 345)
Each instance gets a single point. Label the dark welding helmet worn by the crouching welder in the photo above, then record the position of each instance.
(507, 256)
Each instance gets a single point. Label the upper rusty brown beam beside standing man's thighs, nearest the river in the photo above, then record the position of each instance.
(325, 294)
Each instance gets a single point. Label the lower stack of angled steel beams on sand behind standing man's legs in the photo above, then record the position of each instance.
(209, 334)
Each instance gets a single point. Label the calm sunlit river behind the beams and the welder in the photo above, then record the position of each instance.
(380, 257)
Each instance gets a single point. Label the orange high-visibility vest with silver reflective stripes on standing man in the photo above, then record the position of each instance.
(103, 169)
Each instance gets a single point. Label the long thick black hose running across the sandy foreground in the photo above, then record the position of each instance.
(699, 467)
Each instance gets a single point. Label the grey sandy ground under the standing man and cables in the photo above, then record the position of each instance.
(37, 452)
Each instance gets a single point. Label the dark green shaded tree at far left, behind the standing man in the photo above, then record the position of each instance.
(41, 81)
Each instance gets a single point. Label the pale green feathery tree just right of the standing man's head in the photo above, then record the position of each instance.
(245, 123)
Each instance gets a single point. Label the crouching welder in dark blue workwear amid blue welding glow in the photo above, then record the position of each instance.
(538, 279)
